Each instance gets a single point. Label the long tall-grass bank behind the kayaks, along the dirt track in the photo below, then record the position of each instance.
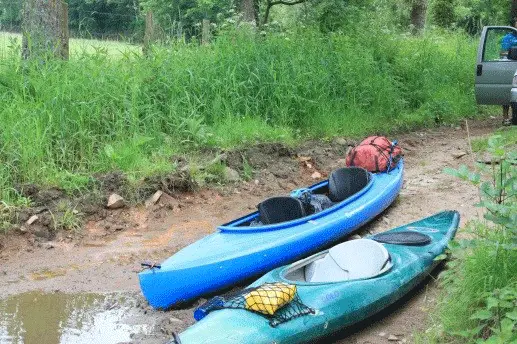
(65, 121)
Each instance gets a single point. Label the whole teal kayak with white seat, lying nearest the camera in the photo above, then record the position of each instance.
(341, 286)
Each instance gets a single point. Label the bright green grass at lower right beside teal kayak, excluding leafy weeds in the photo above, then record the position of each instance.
(480, 270)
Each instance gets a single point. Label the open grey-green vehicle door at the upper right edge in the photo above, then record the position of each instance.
(494, 71)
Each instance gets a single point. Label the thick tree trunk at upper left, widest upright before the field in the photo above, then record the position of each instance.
(45, 29)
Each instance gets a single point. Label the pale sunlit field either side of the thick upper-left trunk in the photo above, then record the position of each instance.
(77, 46)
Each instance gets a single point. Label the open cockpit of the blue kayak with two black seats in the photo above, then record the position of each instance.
(343, 186)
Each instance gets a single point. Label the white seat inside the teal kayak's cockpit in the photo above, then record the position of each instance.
(355, 259)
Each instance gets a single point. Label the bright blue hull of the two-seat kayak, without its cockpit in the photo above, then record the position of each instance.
(236, 253)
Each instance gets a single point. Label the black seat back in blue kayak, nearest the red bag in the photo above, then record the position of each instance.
(346, 181)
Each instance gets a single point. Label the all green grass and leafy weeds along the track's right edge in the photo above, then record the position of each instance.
(480, 286)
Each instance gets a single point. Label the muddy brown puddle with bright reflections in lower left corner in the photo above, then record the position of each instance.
(39, 318)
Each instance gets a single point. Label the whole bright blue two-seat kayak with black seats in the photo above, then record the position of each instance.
(282, 231)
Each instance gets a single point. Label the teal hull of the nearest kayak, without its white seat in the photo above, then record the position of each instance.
(337, 305)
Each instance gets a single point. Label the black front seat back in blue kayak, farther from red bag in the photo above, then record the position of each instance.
(280, 209)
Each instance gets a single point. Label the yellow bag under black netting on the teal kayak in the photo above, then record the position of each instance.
(268, 298)
